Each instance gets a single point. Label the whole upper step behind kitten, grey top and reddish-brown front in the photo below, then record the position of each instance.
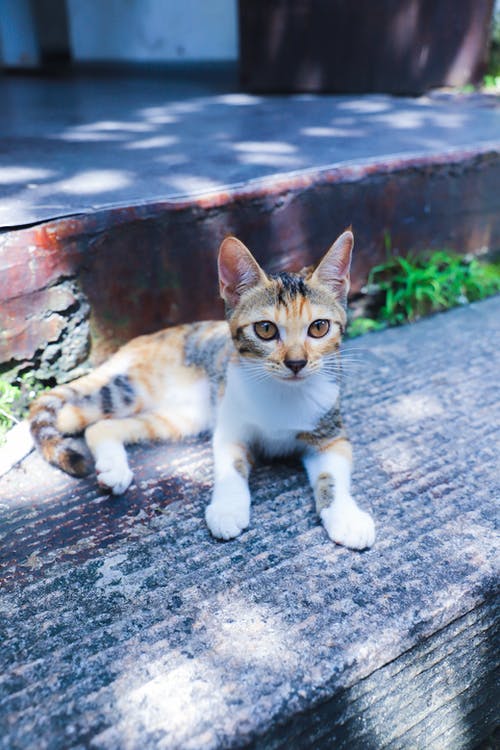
(115, 193)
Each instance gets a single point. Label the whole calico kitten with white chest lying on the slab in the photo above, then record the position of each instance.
(265, 381)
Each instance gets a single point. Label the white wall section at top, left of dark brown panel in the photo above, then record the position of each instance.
(153, 30)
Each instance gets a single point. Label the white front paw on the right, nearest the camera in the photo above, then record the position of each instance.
(349, 525)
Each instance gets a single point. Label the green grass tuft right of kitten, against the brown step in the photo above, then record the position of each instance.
(406, 289)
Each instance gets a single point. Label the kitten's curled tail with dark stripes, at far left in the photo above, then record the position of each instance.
(70, 454)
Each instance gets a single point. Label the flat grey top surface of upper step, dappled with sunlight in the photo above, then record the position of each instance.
(74, 144)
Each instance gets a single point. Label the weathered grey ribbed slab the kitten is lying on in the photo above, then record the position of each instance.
(125, 625)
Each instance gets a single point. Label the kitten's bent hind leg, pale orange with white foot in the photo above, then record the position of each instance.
(107, 438)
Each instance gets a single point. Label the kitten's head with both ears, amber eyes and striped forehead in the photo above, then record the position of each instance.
(286, 326)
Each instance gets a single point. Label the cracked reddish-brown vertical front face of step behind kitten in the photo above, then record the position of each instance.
(141, 267)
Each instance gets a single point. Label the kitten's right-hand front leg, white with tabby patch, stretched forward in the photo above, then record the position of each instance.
(329, 473)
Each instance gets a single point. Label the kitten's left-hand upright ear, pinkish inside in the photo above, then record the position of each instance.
(238, 270)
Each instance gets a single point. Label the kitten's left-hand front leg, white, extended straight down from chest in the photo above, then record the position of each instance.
(229, 511)
